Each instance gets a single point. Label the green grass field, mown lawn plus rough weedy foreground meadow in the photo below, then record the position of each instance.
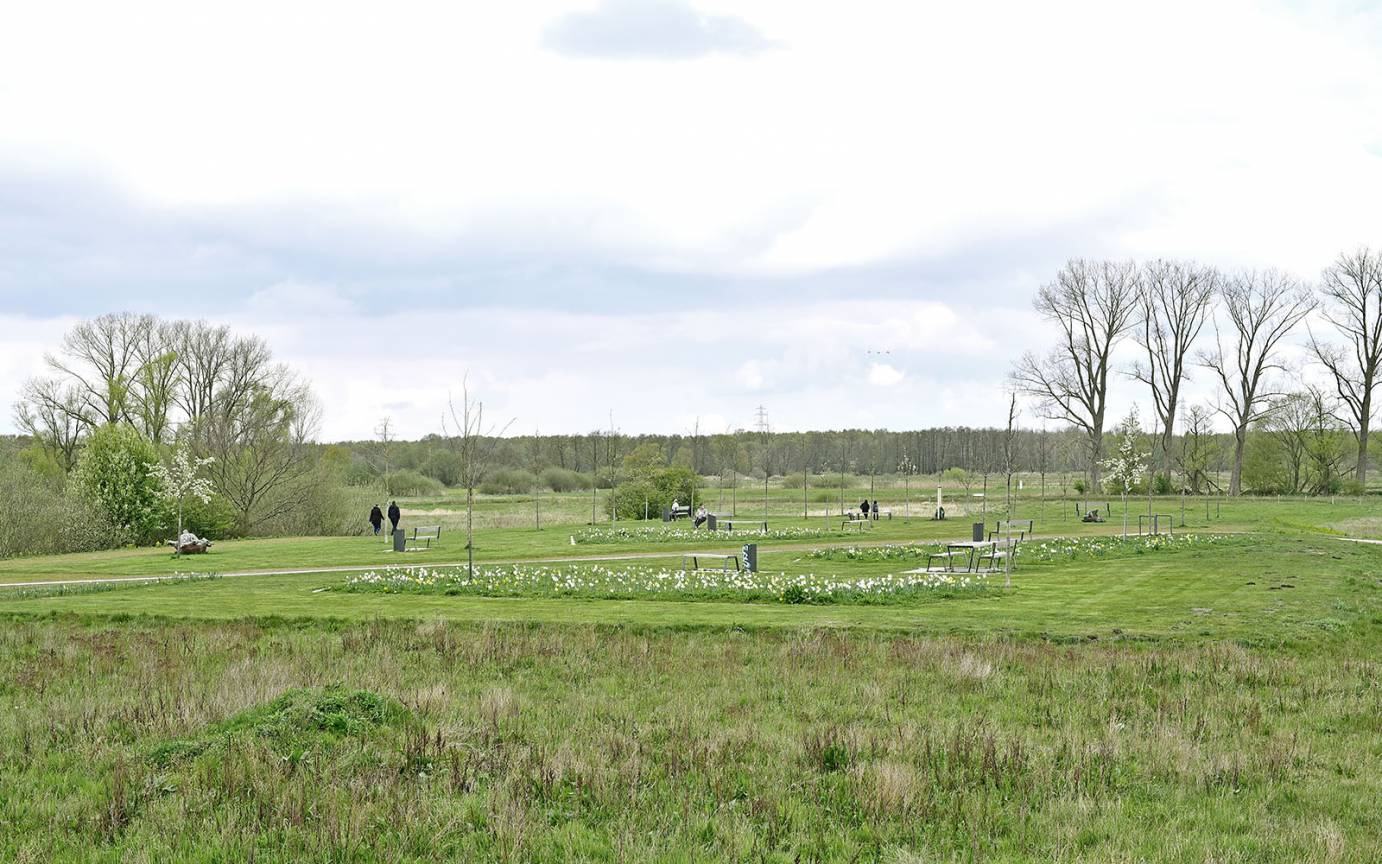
(1215, 700)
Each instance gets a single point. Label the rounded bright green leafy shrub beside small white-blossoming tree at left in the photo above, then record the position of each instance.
(117, 475)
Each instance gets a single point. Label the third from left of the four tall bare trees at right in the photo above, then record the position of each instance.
(1261, 309)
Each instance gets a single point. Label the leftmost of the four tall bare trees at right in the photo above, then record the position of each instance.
(1094, 303)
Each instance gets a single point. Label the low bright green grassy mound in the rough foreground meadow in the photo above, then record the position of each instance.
(298, 722)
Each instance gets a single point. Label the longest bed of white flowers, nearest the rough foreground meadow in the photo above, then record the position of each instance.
(650, 583)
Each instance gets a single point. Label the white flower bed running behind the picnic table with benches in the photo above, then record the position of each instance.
(1039, 552)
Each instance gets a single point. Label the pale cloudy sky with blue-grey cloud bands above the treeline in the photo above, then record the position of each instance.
(668, 209)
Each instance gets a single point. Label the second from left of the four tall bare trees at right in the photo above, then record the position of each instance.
(1175, 299)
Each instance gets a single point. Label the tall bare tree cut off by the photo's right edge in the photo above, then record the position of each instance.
(1352, 302)
